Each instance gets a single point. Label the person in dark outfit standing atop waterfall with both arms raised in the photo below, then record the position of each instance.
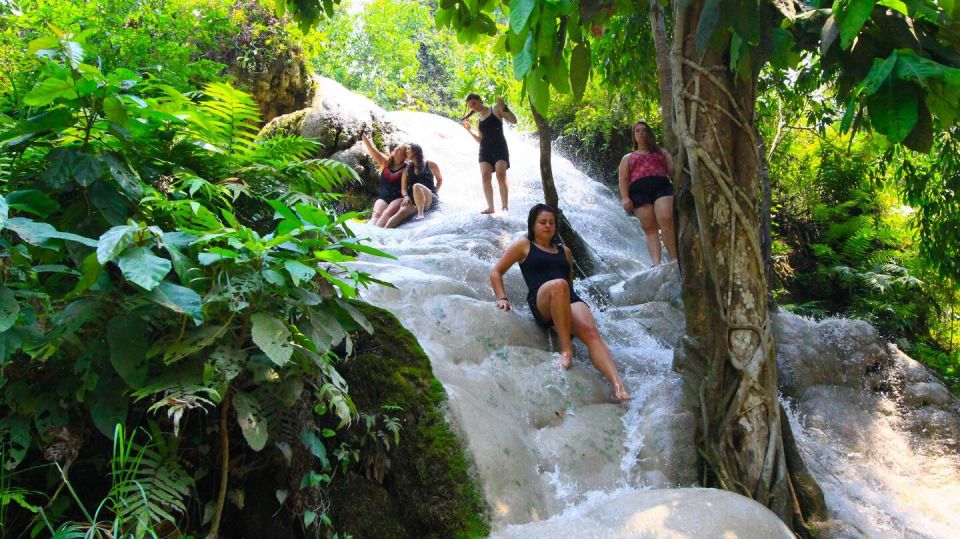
(494, 155)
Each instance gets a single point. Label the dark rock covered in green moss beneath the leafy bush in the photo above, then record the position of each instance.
(428, 489)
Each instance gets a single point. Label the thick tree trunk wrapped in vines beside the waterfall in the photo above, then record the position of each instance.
(727, 356)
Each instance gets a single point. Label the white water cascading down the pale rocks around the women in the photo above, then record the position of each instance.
(551, 444)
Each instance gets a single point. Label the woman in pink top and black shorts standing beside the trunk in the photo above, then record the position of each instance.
(646, 190)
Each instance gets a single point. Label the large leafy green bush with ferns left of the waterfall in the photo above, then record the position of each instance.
(156, 257)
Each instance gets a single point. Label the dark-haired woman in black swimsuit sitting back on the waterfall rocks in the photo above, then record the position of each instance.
(546, 269)
